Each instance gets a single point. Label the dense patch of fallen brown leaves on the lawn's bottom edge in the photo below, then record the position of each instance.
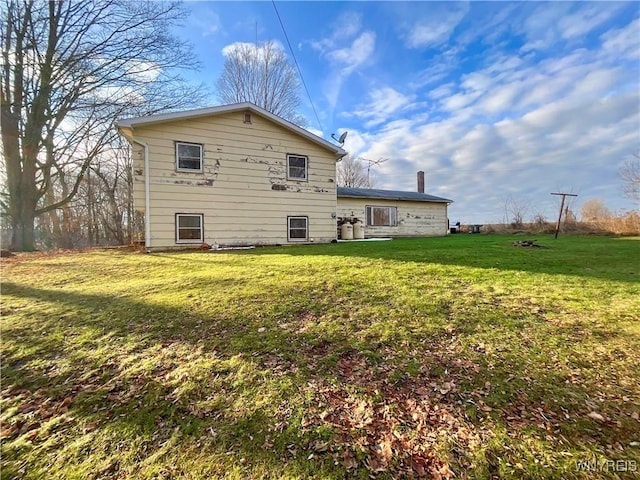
(407, 428)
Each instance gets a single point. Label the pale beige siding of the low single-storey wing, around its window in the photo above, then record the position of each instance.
(414, 219)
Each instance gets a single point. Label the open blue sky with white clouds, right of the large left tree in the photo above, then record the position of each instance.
(494, 101)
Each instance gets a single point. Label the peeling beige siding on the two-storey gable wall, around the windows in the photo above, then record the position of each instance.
(243, 191)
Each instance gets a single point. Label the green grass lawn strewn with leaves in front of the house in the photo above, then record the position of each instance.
(457, 357)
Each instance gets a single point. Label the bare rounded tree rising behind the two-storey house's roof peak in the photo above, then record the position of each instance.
(261, 74)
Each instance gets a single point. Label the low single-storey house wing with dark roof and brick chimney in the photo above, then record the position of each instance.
(392, 213)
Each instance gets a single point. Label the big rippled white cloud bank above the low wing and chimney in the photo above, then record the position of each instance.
(515, 127)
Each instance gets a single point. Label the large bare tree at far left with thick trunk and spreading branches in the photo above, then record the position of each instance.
(69, 69)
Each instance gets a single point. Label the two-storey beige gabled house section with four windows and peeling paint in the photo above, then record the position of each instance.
(231, 175)
